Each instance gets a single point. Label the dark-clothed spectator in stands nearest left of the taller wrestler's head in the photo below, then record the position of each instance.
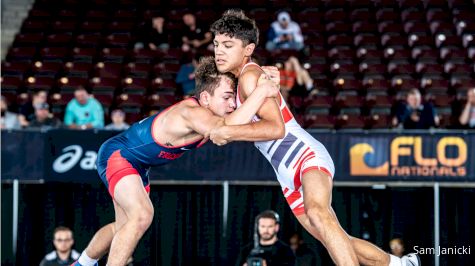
(195, 36)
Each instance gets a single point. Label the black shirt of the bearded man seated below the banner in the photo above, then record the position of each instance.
(278, 254)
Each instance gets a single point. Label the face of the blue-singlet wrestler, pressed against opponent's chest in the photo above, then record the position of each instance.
(222, 102)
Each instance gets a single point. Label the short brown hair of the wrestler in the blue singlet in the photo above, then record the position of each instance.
(207, 76)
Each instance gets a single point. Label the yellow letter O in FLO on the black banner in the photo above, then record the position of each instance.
(452, 141)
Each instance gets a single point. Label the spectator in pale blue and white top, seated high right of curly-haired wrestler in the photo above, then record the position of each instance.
(284, 34)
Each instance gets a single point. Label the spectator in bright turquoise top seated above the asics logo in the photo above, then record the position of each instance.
(83, 112)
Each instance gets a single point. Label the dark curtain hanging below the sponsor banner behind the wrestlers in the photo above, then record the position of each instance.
(188, 224)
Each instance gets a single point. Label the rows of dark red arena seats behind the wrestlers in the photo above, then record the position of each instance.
(363, 55)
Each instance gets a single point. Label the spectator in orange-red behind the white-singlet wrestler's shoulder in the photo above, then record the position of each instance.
(295, 79)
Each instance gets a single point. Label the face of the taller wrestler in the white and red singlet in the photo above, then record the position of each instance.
(230, 53)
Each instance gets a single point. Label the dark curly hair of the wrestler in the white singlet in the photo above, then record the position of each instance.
(234, 23)
